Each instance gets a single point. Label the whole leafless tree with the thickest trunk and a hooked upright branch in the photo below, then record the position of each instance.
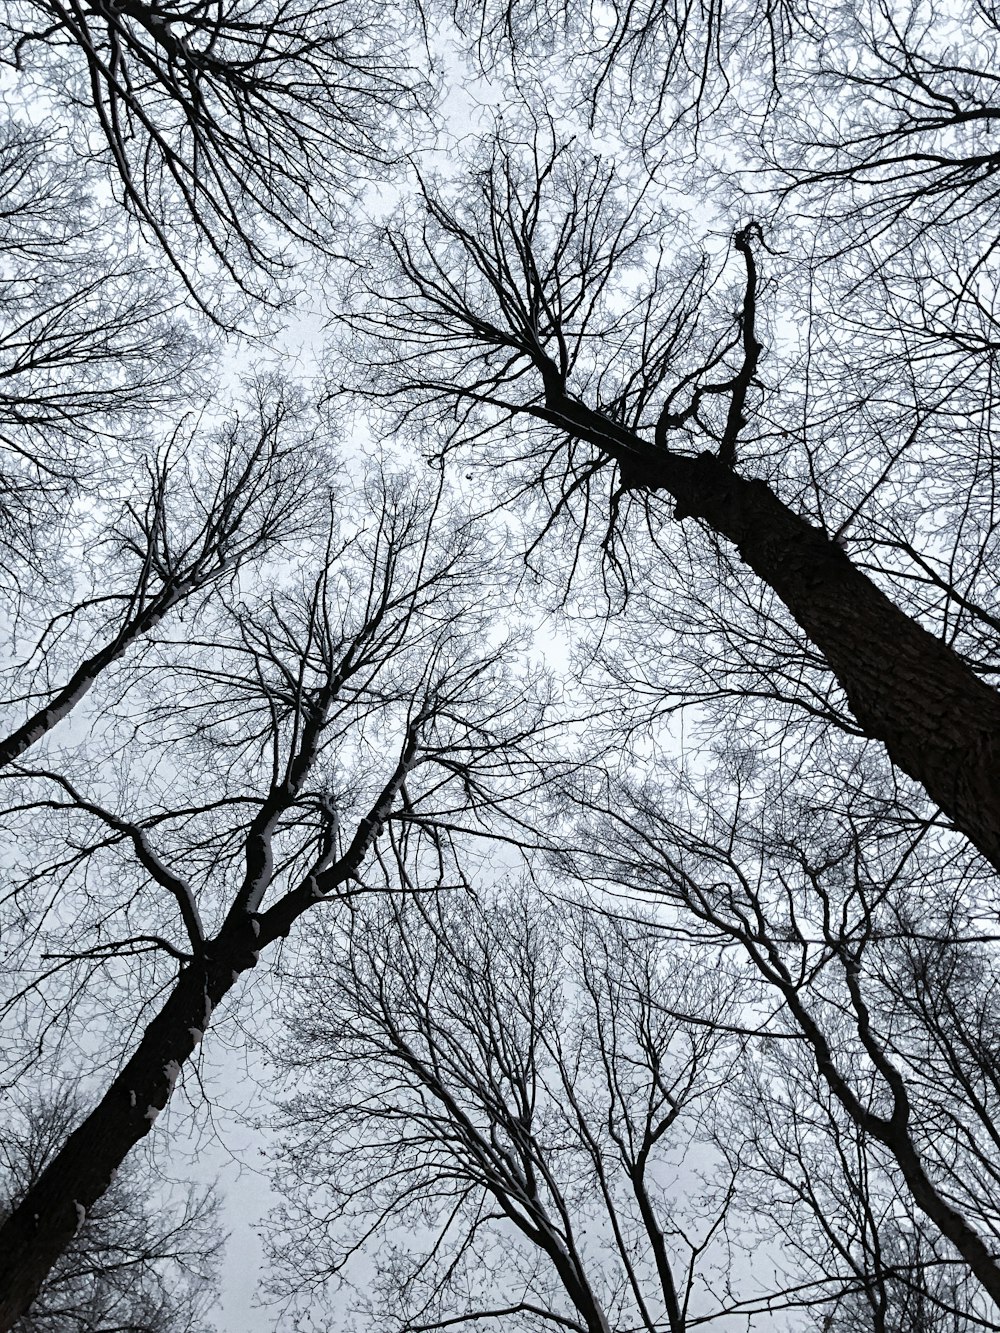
(547, 307)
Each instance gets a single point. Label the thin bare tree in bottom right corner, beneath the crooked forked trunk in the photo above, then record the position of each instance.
(853, 1242)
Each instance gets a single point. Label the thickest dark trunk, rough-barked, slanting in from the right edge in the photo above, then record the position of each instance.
(938, 720)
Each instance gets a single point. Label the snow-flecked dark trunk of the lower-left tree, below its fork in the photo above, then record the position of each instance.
(43, 1224)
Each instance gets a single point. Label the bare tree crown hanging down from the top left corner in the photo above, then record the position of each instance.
(230, 130)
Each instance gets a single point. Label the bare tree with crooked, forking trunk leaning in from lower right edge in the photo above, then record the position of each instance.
(878, 950)
